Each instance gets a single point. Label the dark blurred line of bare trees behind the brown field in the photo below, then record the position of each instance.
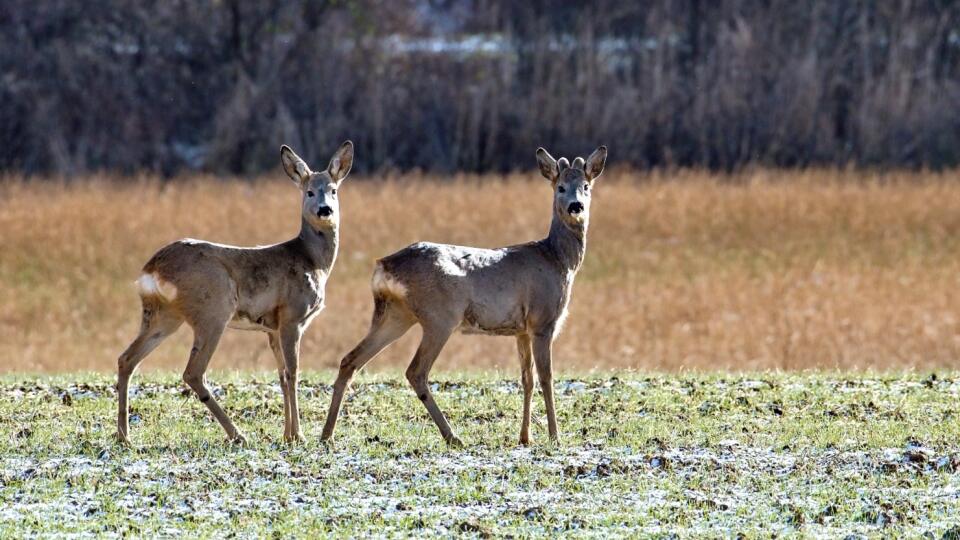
(476, 85)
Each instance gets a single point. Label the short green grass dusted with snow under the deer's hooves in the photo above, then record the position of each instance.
(691, 455)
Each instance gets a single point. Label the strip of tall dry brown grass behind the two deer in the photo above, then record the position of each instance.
(768, 269)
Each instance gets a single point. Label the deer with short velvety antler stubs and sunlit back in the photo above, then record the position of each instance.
(520, 291)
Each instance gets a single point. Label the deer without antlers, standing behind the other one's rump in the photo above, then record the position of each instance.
(276, 289)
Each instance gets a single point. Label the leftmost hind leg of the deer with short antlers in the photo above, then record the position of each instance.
(387, 326)
